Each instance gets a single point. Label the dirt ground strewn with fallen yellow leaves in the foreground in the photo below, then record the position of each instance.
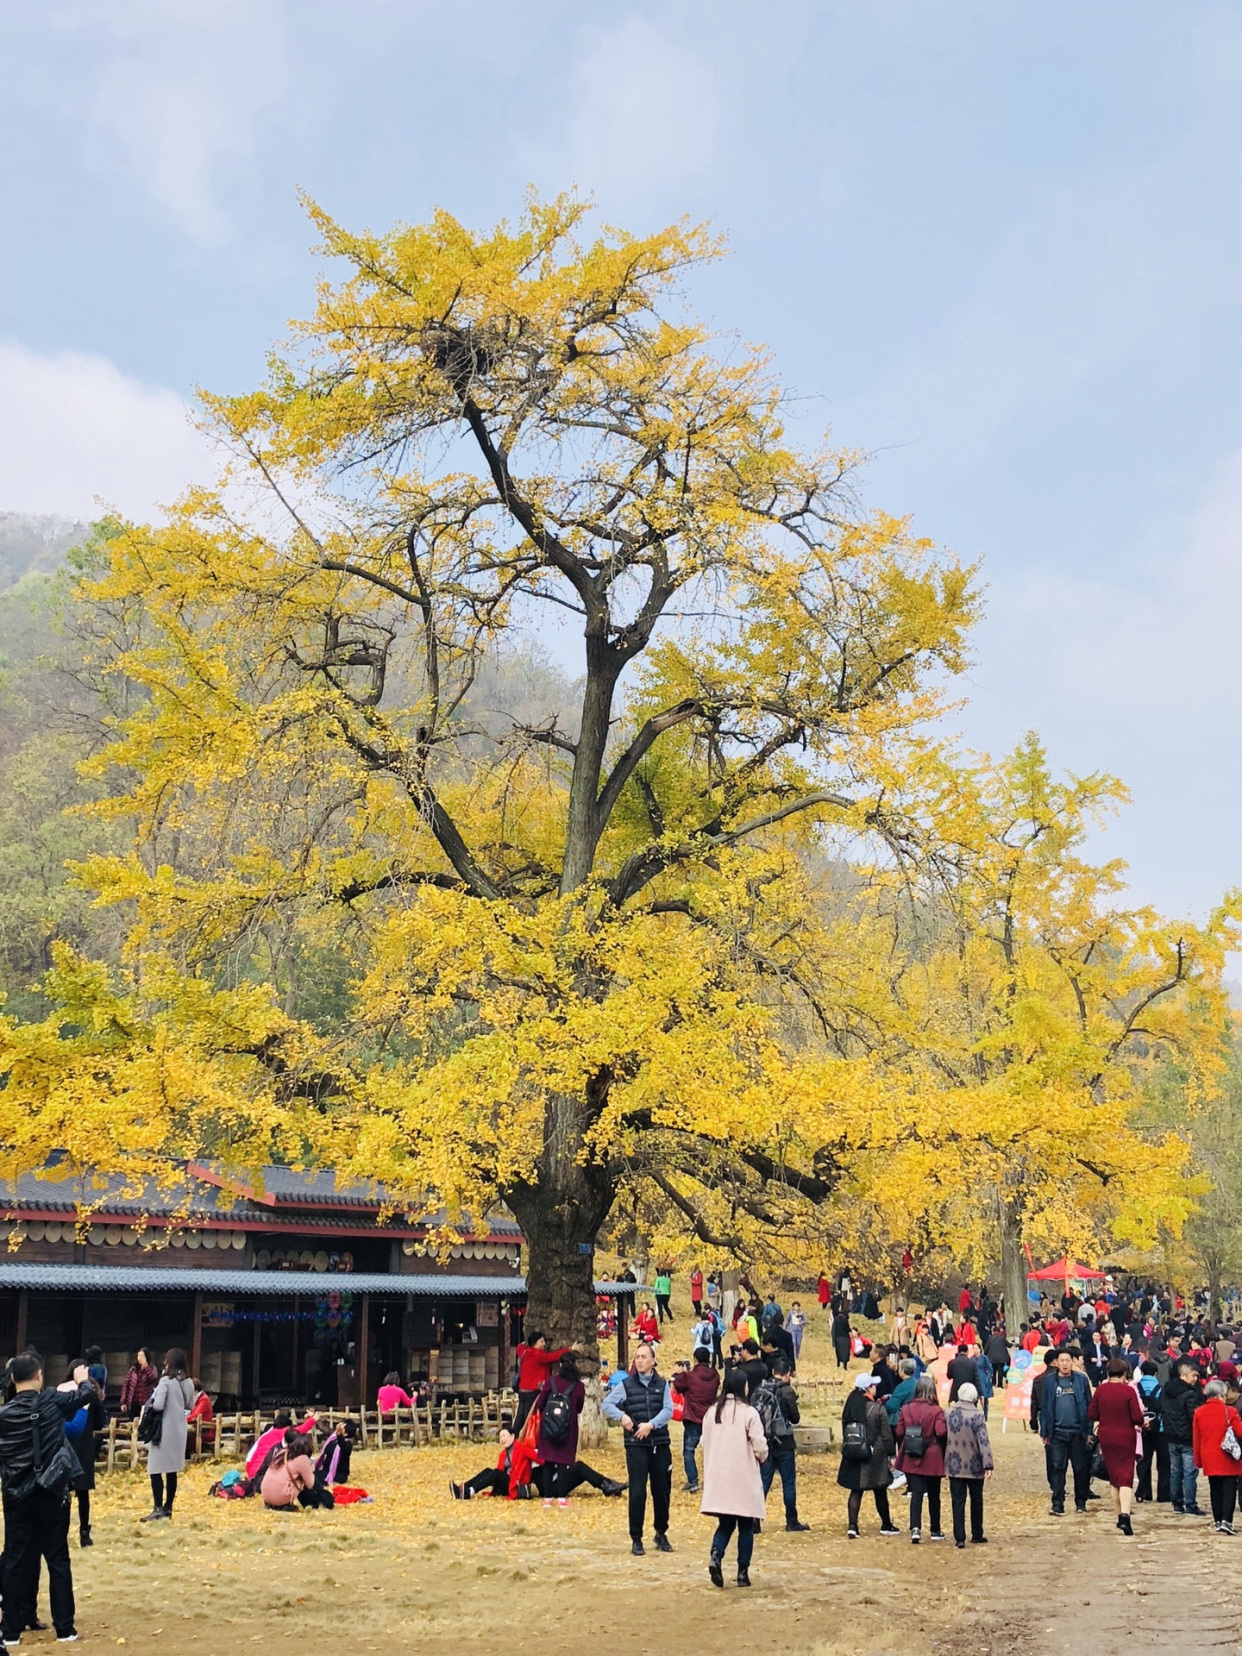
(423, 1574)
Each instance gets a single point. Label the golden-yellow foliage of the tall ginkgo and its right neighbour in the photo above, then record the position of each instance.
(713, 923)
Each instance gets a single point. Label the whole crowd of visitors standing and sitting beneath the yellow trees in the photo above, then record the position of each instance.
(1137, 1389)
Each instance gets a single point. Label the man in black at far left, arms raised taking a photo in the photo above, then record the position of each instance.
(37, 1518)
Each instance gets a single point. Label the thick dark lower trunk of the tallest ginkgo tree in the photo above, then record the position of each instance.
(561, 1218)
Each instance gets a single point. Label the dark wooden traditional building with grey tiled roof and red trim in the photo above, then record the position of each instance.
(291, 1291)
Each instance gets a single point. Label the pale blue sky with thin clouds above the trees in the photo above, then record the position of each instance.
(996, 244)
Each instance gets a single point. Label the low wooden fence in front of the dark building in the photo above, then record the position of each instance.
(229, 1437)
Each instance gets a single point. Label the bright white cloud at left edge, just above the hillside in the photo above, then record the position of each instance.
(77, 431)
